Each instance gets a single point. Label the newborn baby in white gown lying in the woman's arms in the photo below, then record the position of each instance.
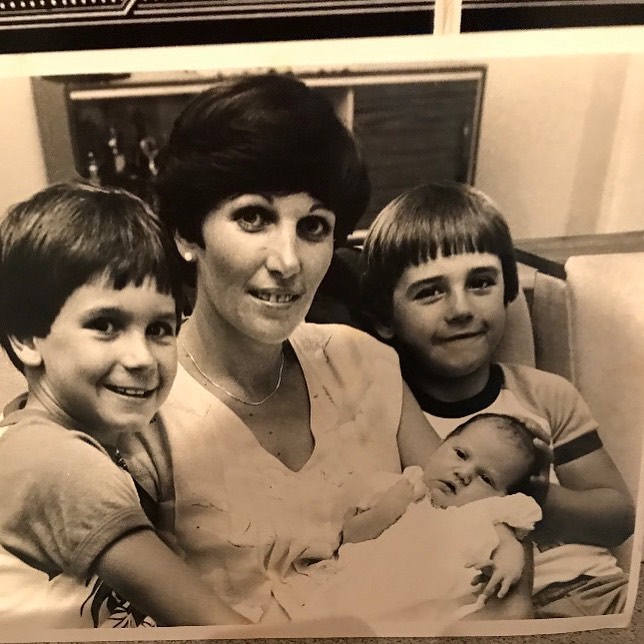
(421, 567)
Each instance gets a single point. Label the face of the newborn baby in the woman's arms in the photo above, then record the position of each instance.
(479, 462)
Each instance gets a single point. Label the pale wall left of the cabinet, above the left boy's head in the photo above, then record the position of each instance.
(23, 170)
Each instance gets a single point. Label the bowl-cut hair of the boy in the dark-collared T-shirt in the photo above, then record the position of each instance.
(436, 218)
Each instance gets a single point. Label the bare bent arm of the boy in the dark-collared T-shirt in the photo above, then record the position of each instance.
(592, 505)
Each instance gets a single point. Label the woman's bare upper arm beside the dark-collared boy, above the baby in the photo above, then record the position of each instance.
(417, 440)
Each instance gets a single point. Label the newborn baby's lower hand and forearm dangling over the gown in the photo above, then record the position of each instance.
(505, 568)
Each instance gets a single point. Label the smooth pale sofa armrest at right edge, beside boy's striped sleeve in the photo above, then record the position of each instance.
(606, 300)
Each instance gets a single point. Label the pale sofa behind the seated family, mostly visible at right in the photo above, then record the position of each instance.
(586, 325)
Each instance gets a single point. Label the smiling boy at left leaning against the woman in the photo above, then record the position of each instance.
(90, 303)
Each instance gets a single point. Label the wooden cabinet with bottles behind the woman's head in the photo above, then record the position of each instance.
(414, 125)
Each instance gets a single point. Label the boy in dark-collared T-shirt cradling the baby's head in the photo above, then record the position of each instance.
(439, 272)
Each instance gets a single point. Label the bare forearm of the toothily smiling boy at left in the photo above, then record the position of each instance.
(143, 570)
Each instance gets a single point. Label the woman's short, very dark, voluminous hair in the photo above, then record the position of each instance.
(261, 134)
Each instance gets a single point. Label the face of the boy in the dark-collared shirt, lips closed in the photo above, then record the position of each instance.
(449, 313)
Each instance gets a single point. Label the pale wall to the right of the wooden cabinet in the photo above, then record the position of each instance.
(561, 143)
